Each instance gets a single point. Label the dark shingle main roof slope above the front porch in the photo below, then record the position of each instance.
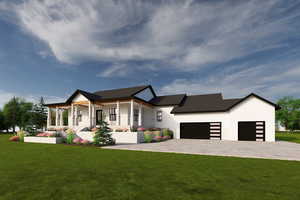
(120, 93)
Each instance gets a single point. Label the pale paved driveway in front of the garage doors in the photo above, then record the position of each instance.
(270, 150)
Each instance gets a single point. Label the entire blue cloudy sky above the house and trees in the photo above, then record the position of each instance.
(50, 48)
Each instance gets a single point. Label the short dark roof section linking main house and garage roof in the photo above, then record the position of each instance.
(167, 100)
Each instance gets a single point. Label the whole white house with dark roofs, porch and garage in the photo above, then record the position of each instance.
(206, 116)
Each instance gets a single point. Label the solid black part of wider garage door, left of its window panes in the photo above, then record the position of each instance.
(195, 130)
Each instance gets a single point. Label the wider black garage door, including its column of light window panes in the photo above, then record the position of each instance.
(200, 130)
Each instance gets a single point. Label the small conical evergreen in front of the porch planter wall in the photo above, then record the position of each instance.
(103, 136)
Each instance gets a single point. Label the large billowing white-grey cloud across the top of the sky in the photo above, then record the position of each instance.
(186, 34)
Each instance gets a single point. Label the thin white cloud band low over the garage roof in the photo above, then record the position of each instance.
(272, 80)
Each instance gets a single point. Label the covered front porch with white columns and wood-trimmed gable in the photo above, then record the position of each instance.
(83, 113)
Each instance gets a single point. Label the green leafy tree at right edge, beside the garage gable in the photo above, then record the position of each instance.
(289, 114)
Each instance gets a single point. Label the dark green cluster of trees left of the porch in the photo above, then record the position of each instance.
(25, 115)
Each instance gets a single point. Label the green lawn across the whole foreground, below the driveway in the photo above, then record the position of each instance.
(41, 171)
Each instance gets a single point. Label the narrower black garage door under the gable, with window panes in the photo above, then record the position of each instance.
(251, 131)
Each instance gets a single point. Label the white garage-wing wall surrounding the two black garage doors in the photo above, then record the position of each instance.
(252, 109)
